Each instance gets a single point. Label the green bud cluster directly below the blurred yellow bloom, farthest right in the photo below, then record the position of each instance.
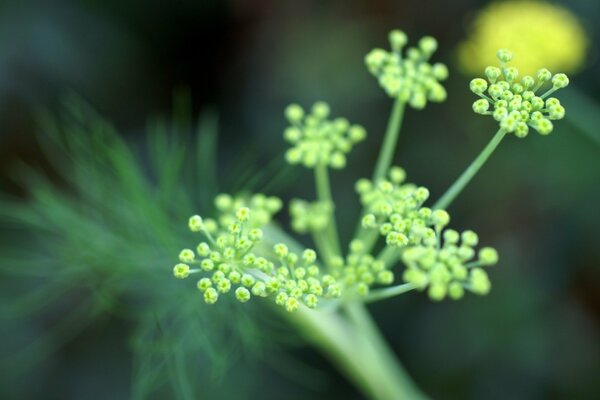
(514, 103)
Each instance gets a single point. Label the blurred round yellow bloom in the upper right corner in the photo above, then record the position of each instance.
(538, 33)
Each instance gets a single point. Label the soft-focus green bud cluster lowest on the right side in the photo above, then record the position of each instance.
(451, 267)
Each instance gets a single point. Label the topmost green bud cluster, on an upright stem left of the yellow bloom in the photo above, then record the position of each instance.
(410, 77)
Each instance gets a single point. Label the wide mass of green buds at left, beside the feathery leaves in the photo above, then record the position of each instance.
(230, 260)
